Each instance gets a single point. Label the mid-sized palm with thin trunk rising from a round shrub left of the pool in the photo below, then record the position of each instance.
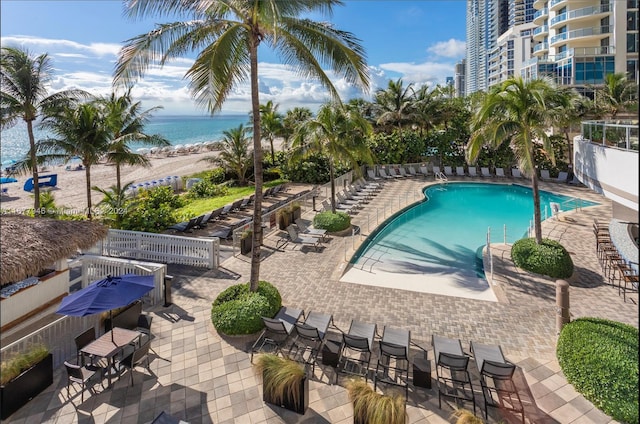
(337, 132)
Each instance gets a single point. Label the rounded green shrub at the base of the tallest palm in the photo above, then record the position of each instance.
(237, 310)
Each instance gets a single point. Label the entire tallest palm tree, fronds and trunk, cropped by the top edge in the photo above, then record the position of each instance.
(227, 35)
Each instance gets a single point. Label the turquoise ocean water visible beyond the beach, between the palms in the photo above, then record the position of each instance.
(14, 142)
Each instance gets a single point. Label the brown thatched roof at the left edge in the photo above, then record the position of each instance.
(29, 245)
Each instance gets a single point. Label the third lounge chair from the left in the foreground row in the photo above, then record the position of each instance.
(357, 349)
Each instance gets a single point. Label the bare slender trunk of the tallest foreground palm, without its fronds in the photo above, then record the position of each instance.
(257, 165)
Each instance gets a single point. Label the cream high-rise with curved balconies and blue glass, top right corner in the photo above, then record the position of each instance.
(578, 43)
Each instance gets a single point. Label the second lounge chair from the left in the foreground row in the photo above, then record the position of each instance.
(310, 337)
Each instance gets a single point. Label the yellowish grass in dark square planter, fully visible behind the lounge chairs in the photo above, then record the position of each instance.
(284, 382)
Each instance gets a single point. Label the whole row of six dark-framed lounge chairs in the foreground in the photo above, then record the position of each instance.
(302, 337)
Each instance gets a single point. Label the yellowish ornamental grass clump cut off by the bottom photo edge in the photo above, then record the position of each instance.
(370, 407)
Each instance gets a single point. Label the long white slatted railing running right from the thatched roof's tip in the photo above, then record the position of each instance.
(163, 248)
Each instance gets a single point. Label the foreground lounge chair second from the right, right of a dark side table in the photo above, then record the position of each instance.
(453, 376)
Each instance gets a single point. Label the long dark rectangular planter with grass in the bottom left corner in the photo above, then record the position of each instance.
(24, 376)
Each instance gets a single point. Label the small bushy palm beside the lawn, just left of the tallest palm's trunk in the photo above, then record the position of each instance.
(234, 154)
